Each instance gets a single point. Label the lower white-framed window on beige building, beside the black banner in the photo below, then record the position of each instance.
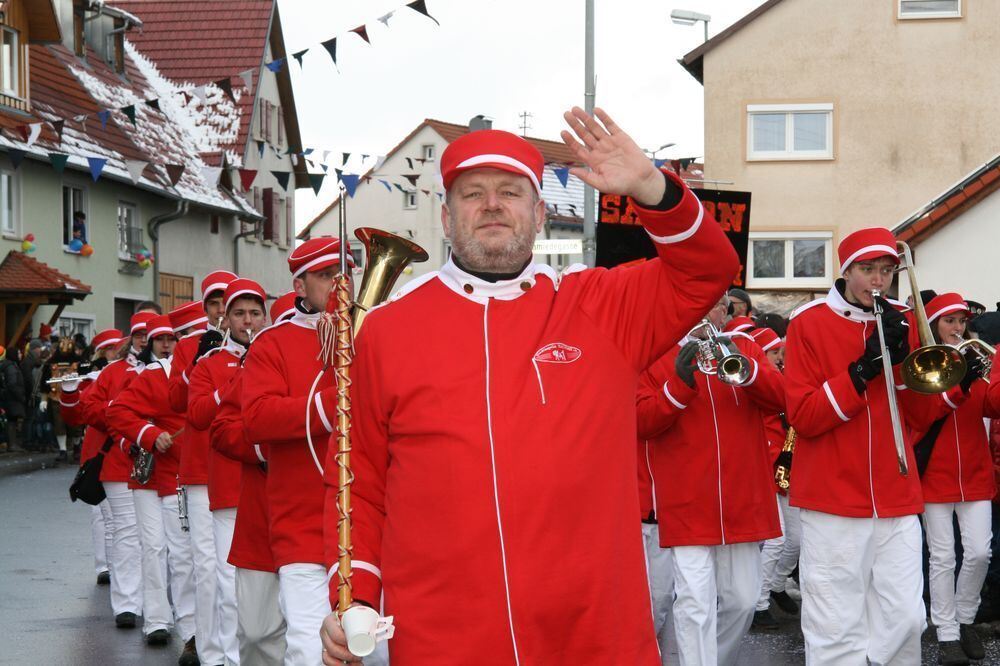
(796, 259)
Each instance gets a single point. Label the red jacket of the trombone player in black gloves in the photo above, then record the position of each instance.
(845, 459)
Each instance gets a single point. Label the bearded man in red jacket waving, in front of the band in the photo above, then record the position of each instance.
(494, 417)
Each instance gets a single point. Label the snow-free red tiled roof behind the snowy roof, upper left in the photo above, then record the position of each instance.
(201, 42)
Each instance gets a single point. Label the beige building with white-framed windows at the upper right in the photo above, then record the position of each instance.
(841, 115)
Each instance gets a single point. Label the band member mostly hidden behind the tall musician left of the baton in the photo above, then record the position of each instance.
(261, 626)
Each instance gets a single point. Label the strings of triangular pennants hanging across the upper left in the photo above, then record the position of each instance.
(30, 132)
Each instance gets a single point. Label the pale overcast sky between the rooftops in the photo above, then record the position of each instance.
(494, 58)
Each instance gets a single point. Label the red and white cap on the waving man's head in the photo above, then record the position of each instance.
(494, 149)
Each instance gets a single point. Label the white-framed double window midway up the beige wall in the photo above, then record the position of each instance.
(789, 132)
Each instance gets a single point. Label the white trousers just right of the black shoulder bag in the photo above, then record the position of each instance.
(125, 557)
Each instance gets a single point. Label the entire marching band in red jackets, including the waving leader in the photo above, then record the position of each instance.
(548, 469)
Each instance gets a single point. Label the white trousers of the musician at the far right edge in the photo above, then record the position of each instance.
(953, 604)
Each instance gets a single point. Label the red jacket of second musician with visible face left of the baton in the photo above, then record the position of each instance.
(209, 377)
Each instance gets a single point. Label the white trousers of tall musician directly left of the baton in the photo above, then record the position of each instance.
(305, 601)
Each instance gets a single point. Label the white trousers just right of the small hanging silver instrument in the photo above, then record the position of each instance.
(202, 536)
